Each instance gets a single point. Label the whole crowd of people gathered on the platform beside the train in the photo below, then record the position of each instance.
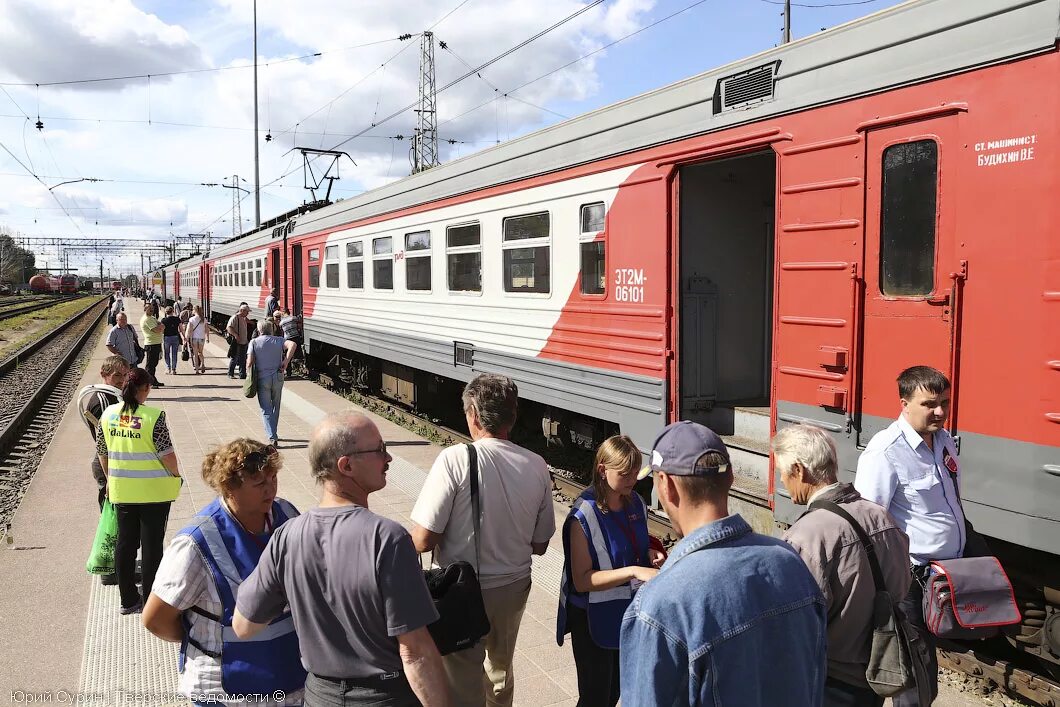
(330, 607)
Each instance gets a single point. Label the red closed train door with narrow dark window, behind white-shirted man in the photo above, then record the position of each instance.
(913, 275)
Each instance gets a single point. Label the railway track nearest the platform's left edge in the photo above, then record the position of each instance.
(36, 385)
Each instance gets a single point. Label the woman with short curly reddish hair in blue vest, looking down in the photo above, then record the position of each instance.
(195, 595)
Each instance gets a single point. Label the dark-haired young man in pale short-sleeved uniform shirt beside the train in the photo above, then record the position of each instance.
(912, 470)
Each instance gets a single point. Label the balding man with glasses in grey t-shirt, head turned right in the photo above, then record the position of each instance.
(352, 579)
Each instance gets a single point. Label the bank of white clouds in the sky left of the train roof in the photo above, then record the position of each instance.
(56, 40)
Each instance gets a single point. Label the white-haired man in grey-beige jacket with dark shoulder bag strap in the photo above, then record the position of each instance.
(829, 545)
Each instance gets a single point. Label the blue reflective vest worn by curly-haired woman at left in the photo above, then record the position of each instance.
(271, 661)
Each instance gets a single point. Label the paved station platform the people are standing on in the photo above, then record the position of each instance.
(63, 639)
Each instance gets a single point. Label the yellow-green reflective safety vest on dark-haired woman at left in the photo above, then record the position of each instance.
(136, 473)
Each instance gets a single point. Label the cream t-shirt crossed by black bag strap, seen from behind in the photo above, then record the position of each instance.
(516, 501)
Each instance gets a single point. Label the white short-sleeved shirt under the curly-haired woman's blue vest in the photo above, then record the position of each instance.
(183, 581)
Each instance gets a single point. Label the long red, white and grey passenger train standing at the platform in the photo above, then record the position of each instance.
(761, 245)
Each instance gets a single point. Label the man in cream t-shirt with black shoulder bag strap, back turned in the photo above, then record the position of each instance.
(517, 521)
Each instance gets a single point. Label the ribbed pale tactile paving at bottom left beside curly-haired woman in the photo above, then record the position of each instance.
(122, 664)
